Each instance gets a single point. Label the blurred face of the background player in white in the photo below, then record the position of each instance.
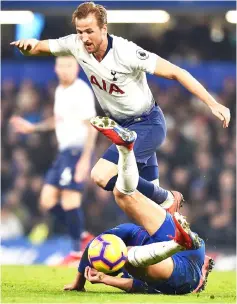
(66, 69)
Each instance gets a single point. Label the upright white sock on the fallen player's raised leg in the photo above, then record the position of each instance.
(128, 175)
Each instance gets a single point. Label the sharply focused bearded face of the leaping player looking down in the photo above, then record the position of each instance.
(90, 33)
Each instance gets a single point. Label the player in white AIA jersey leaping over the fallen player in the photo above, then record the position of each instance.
(116, 69)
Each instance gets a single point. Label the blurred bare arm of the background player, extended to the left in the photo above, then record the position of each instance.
(23, 126)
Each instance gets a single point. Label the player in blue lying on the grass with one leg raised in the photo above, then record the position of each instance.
(156, 264)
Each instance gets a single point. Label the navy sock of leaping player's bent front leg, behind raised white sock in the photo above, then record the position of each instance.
(153, 192)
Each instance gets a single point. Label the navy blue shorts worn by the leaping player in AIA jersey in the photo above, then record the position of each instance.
(151, 132)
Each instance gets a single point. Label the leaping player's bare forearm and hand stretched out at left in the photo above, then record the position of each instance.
(32, 47)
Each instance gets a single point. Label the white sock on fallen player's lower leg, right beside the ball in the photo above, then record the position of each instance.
(142, 256)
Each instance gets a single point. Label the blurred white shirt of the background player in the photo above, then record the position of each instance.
(72, 106)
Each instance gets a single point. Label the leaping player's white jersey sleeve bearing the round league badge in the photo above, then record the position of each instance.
(136, 58)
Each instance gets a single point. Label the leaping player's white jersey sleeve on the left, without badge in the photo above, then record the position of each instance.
(64, 45)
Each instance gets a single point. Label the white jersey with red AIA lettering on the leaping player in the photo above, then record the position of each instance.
(119, 80)
